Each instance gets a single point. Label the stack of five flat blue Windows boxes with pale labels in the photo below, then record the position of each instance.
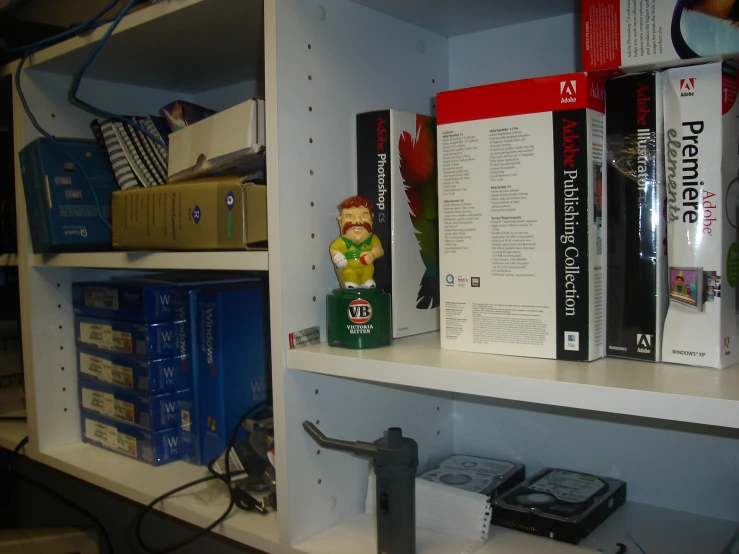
(132, 362)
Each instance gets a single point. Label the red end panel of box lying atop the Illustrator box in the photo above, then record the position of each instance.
(601, 34)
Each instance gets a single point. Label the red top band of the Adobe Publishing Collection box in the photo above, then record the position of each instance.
(542, 94)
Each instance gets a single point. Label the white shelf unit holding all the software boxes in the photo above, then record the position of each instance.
(669, 431)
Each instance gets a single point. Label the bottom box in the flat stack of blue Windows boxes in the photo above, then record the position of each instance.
(153, 447)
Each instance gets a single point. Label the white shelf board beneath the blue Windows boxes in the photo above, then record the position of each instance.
(142, 483)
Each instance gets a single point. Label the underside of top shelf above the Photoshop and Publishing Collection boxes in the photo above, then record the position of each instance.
(460, 17)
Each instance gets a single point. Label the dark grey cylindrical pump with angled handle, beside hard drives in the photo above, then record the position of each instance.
(395, 458)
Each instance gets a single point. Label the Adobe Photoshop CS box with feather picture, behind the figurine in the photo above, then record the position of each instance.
(396, 170)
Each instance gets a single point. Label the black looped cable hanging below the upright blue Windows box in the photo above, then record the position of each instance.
(234, 497)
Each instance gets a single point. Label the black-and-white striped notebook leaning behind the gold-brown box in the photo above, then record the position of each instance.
(134, 158)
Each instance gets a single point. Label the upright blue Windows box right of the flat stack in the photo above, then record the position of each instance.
(231, 365)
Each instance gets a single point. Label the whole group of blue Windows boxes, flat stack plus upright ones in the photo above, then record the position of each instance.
(196, 342)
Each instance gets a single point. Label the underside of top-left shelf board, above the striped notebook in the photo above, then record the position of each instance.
(181, 33)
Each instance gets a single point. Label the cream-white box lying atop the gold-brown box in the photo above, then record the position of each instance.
(229, 142)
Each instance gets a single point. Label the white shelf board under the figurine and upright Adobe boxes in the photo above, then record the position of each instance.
(662, 391)
